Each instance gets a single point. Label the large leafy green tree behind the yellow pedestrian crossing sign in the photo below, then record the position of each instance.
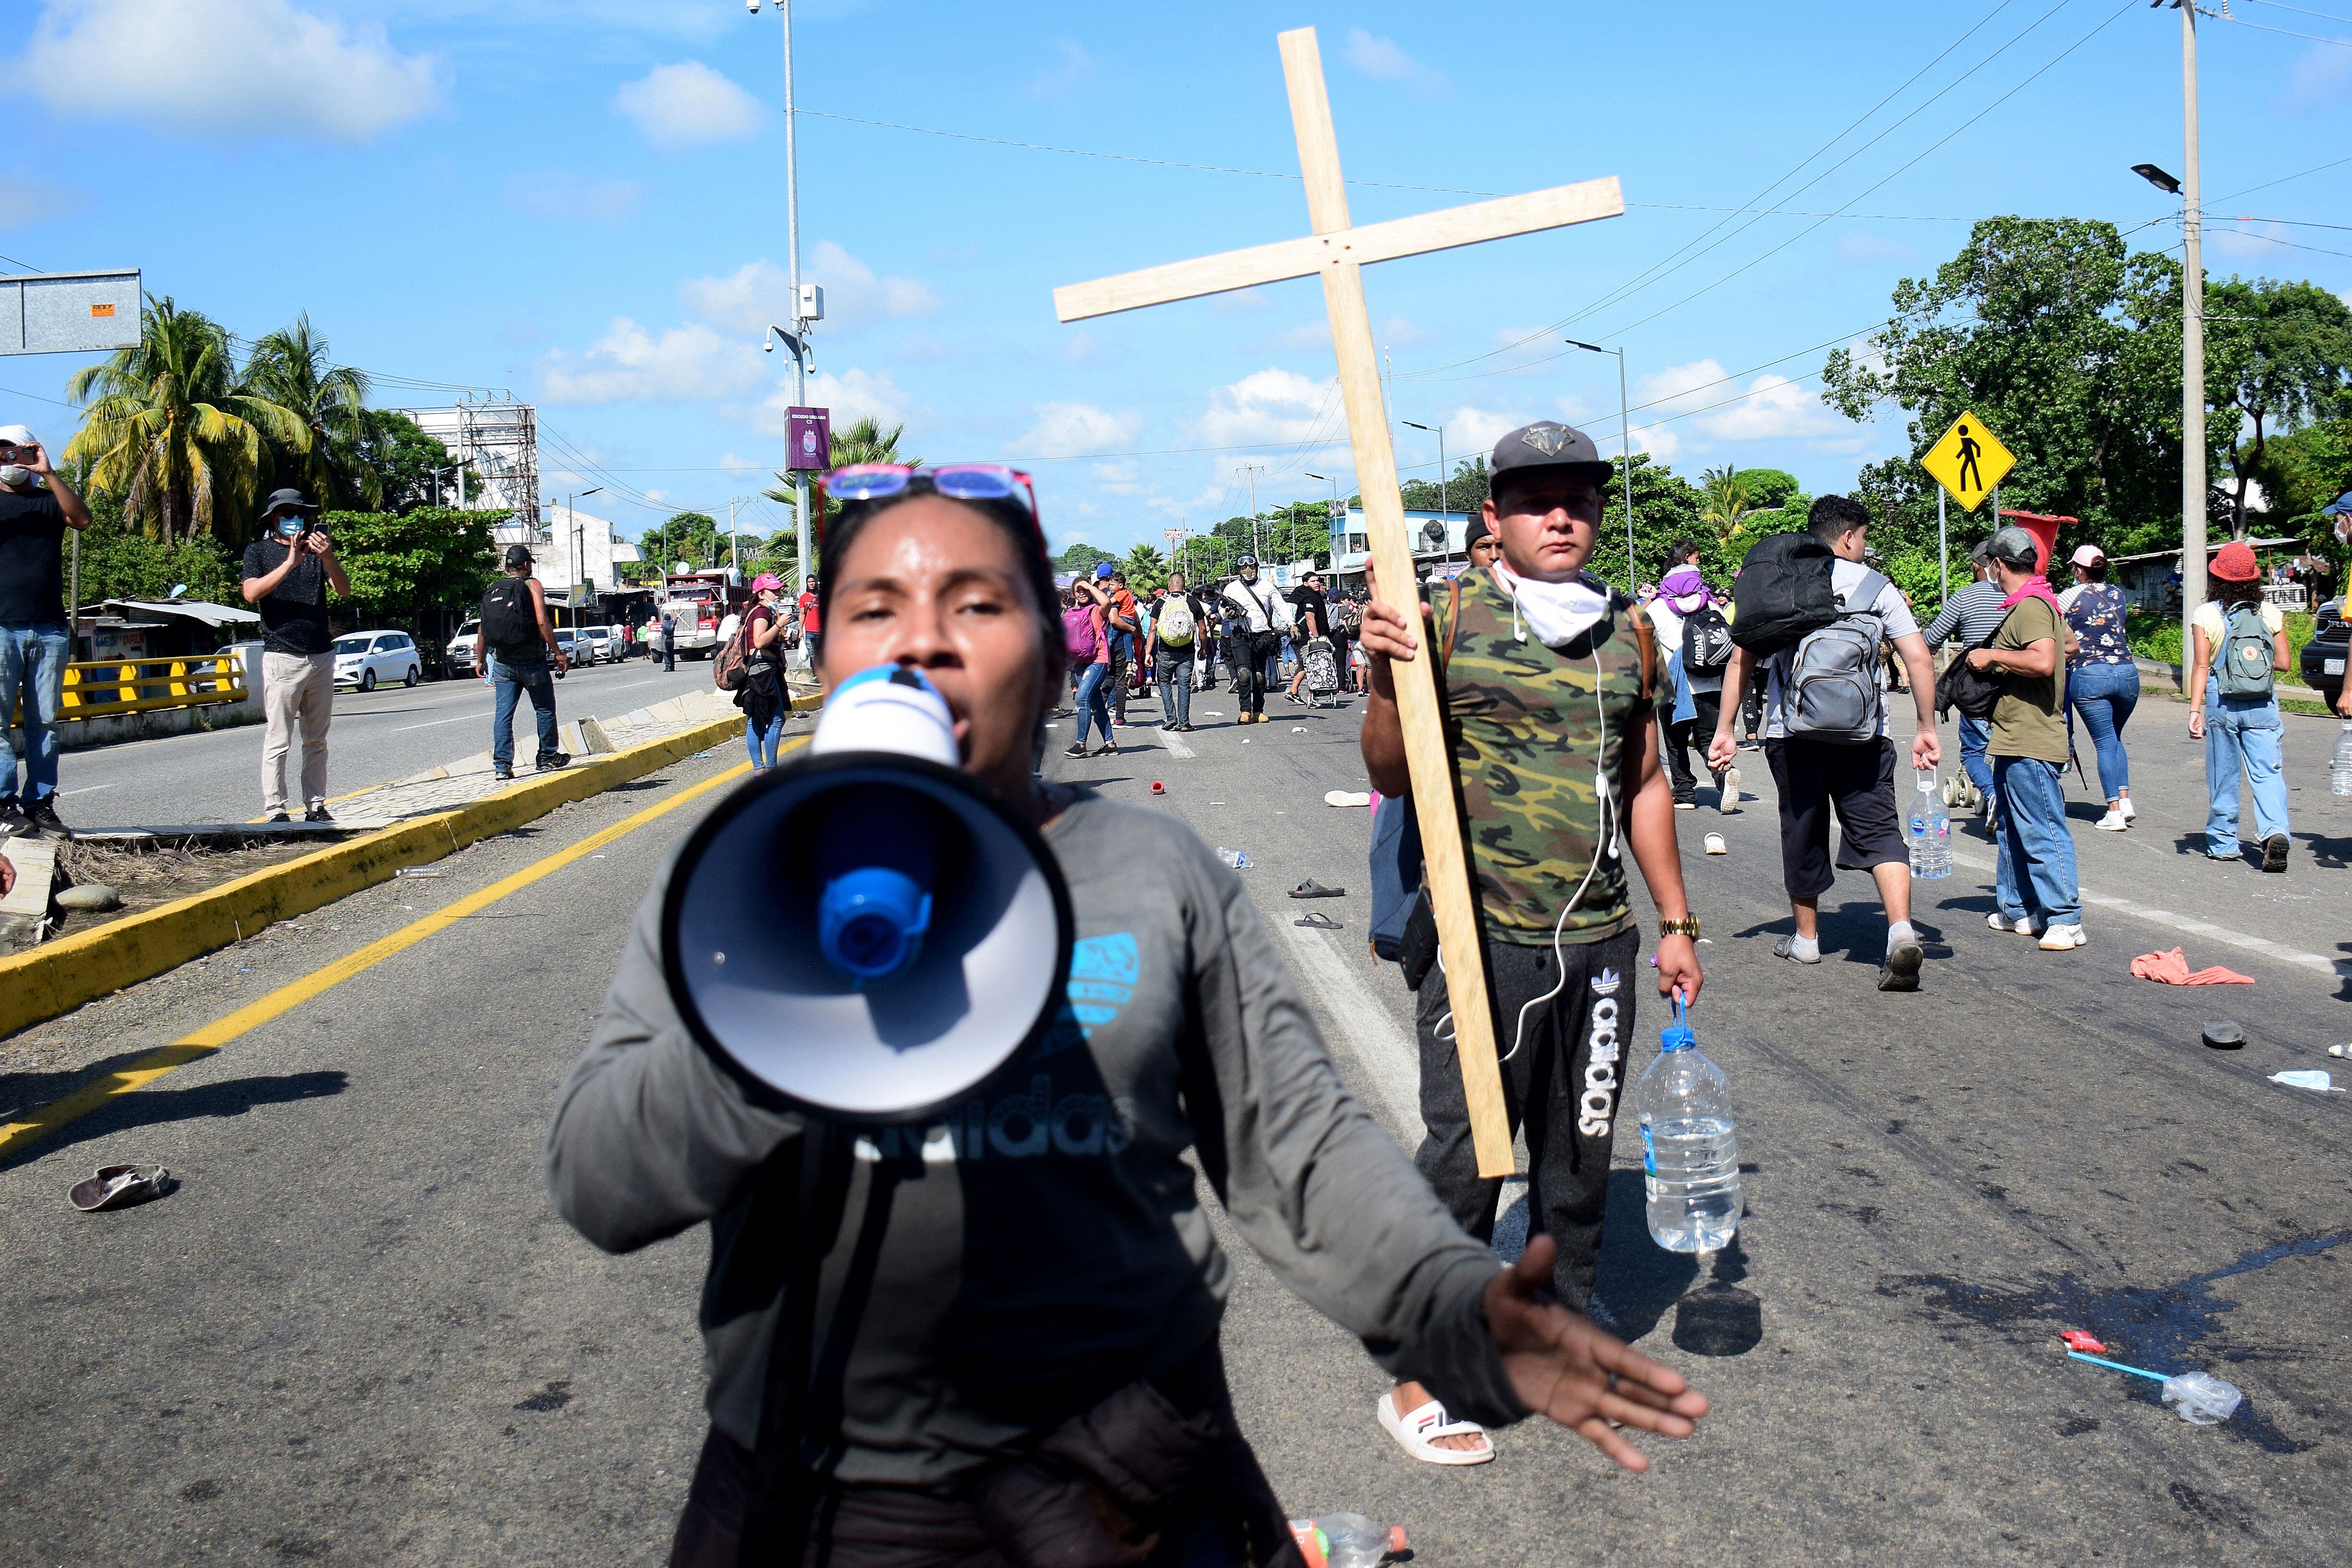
(2069, 347)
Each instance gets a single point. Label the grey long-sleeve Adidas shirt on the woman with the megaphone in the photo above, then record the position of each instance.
(1043, 1245)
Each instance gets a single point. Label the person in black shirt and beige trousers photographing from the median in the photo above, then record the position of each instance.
(288, 575)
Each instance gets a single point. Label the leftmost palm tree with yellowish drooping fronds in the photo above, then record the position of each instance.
(175, 431)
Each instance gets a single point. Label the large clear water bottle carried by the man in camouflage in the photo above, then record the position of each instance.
(1690, 1146)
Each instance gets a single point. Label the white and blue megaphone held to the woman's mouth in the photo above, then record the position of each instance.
(869, 932)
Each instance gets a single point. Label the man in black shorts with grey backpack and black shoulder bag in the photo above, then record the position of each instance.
(1826, 721)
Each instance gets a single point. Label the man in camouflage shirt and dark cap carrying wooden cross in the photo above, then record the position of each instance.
(1549, 685)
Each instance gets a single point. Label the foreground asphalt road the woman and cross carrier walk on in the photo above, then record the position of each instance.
(359, 1334)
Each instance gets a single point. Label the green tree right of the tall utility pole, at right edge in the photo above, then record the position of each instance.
(2278, 354)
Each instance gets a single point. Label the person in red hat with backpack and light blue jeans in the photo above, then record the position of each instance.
(2240, 648)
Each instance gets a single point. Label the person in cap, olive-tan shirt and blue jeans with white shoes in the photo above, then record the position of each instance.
(2036, 887)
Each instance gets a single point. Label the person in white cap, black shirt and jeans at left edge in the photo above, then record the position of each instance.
(36, 509)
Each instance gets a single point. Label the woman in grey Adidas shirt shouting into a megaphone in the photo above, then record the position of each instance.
(989, 1334)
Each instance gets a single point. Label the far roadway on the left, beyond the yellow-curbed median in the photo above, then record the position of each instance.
(215, 777)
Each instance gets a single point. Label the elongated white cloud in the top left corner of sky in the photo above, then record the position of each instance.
(232, 69)
